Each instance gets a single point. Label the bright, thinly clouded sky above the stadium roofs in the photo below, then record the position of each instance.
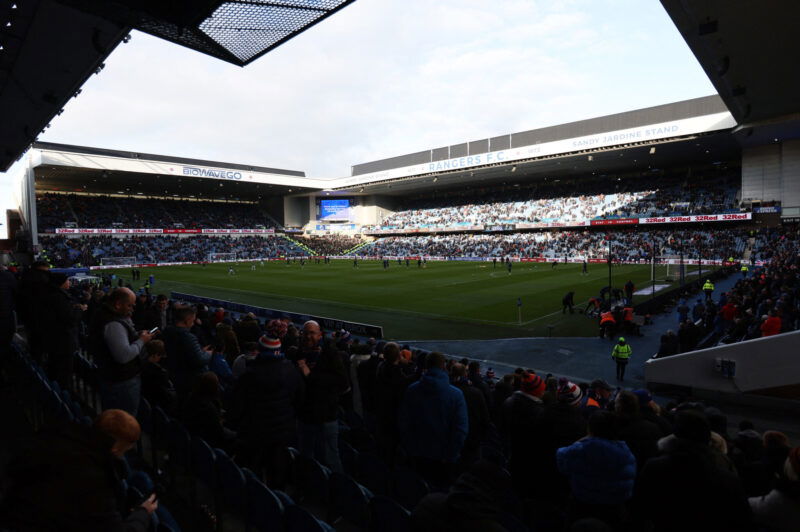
(384, 78)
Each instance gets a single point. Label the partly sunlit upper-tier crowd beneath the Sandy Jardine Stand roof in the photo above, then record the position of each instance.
(557, 201)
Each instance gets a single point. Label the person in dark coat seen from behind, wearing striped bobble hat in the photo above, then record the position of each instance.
(263, 409)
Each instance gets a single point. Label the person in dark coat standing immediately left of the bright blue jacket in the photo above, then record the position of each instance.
(390, 385)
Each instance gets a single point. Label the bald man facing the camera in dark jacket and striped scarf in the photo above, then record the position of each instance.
(325, 383)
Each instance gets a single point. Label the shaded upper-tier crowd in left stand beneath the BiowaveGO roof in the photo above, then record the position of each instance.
(54, 210)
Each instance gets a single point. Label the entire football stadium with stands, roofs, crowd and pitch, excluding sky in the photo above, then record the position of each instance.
(587, 326)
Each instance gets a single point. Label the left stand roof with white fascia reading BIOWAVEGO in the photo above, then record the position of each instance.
(64, 168)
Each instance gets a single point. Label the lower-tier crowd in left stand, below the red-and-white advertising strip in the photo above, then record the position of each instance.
(64, 251)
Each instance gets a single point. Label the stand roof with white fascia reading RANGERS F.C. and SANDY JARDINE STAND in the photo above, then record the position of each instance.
(681, 126)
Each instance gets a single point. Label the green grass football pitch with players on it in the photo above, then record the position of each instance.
(443, 301)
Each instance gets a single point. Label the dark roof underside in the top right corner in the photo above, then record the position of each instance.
(748, 50)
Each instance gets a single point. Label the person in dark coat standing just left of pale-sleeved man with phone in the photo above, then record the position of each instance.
(62, 317)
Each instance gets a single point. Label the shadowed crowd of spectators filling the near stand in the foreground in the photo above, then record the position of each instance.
(544, 451)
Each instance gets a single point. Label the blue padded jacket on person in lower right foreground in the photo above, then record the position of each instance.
(600, 471)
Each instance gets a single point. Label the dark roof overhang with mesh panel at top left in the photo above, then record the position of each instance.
(49, 48)
